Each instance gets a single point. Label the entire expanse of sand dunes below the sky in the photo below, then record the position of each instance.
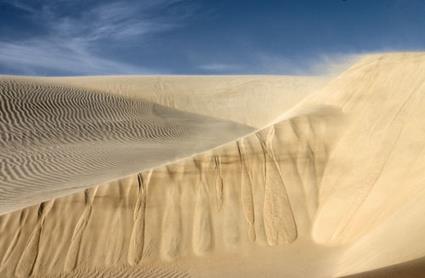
(330, 186)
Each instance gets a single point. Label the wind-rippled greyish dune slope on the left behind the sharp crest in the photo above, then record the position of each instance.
(55, 140)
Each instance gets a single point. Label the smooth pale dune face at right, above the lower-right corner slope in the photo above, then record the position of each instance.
(381, 149)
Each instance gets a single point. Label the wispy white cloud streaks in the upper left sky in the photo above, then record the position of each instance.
(71, 40)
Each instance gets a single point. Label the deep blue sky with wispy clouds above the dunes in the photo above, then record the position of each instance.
(83, 37)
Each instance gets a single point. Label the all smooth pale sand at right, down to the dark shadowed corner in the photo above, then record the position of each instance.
(376, 206)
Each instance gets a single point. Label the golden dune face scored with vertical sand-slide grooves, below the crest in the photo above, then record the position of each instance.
(258, 192)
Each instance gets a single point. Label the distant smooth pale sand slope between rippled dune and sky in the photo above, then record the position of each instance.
(250, 100)
